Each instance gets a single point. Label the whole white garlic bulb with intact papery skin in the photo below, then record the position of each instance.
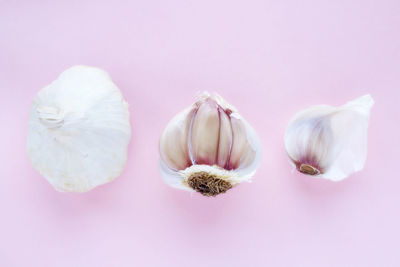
(79, 130)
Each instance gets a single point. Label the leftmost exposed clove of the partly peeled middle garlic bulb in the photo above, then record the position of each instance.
(173, 143)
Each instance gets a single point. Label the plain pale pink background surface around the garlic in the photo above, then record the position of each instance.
(268, 58)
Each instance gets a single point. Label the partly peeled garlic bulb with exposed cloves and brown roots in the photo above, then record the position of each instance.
(208, 148)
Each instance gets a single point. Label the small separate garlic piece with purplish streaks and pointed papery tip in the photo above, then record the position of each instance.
(330, 142)
